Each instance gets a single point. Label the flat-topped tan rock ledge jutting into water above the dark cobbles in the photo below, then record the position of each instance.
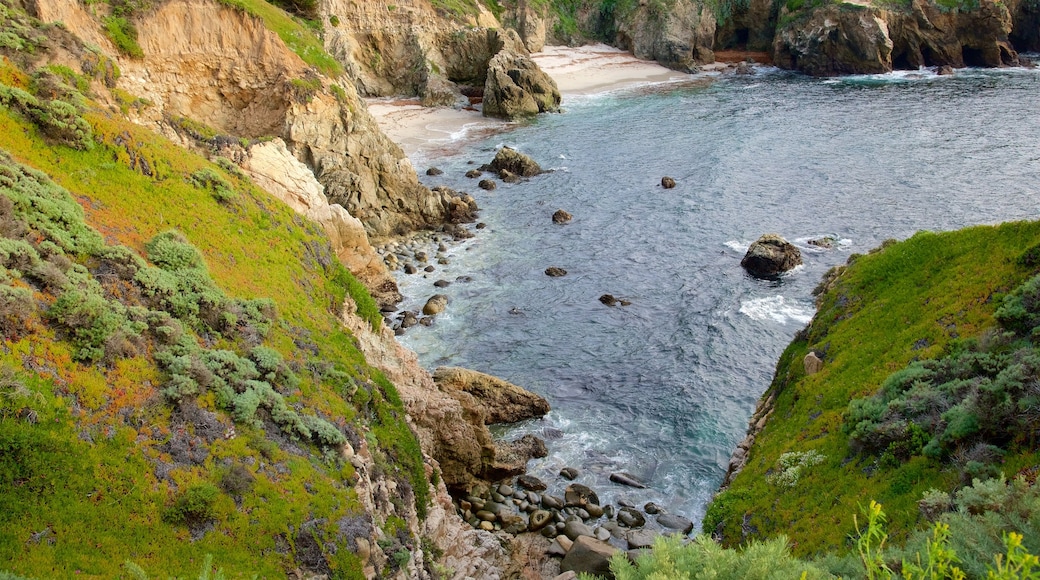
(504, 402)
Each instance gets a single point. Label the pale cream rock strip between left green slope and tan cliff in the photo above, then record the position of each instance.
(273, 168)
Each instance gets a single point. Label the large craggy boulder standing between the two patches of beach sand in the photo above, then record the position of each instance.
(516, 88)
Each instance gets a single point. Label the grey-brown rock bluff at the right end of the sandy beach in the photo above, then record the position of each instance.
(680, 38)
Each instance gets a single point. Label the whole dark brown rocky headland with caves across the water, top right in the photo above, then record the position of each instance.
(857, 39)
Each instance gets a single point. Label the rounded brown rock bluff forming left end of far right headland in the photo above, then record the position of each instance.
(836, 40)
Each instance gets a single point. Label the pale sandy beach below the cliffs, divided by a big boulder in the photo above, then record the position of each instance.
(581, 71)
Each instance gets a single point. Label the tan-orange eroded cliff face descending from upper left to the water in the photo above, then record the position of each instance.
(223, 68)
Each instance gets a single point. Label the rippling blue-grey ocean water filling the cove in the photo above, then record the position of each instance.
(664, 388)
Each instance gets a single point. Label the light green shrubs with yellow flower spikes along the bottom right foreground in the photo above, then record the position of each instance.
(963, 544)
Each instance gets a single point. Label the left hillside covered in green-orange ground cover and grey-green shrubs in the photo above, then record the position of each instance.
(174, 381)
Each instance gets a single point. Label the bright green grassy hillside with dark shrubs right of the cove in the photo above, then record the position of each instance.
(835, 443)
